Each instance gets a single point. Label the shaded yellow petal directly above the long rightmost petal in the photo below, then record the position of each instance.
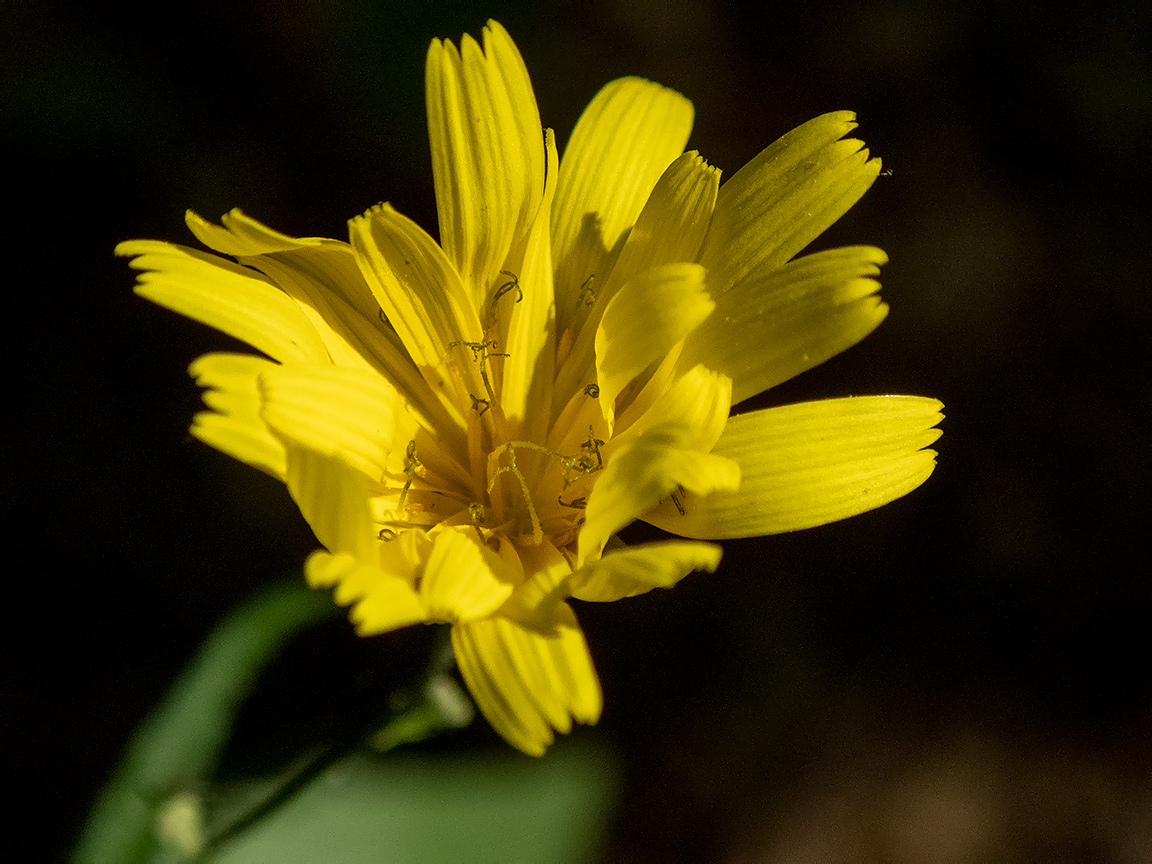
(772, 328)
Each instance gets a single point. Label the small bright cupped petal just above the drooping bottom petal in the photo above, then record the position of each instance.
(458, 583)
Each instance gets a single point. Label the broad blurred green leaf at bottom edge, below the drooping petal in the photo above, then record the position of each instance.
(410, 807)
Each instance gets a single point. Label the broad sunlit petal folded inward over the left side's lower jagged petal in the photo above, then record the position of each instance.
(347, 414)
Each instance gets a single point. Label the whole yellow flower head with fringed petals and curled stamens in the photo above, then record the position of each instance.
(467, 426)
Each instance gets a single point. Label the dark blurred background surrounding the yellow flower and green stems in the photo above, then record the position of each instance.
(962, 676)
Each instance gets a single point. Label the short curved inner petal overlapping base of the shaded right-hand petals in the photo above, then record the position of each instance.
(646, 319)
